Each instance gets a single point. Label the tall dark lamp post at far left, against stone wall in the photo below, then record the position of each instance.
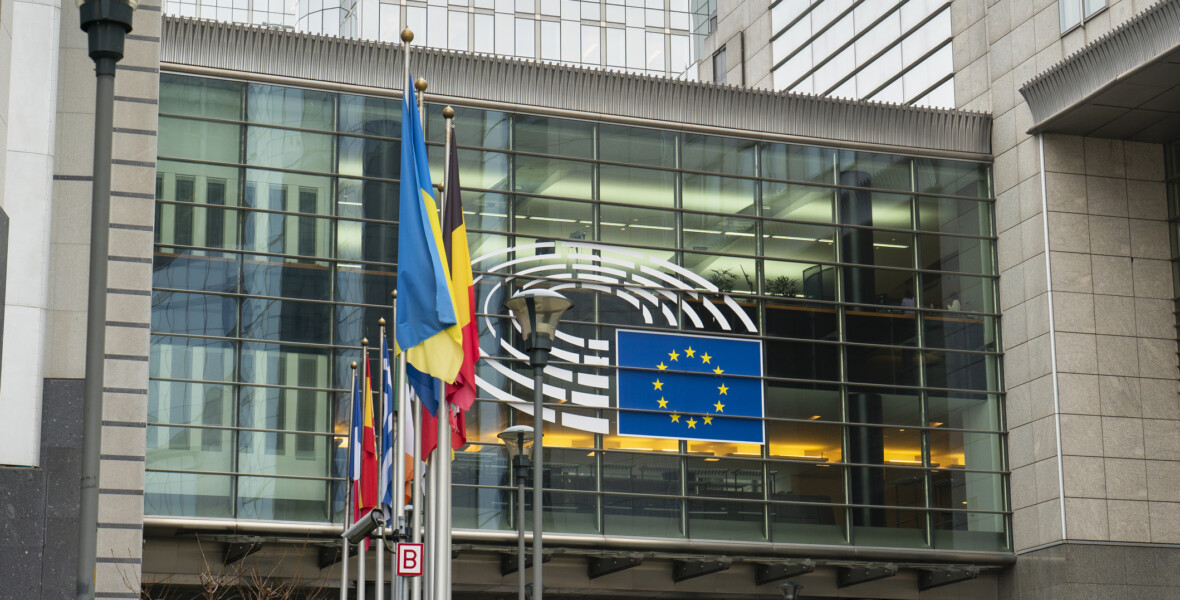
(107, 24)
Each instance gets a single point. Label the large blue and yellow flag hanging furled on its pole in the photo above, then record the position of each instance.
(428, 328)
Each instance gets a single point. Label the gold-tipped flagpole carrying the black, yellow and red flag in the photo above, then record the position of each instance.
(443, 499)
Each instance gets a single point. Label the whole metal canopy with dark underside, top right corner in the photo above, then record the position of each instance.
(1125, 86)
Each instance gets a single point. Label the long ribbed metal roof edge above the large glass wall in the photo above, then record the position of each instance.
(612, 94)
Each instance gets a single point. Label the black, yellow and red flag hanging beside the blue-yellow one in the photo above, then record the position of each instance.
(462, 394)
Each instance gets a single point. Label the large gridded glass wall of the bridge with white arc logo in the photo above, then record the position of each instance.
(870, 281)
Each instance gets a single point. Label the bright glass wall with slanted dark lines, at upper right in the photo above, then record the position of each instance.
(893, 51)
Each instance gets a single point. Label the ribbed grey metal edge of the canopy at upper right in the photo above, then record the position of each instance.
(1090, 70)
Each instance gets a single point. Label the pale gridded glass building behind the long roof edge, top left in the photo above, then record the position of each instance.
(650, 37)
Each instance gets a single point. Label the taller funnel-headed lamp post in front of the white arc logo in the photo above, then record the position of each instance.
(537, 312)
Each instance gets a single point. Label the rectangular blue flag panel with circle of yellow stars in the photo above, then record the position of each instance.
(690, 387)
